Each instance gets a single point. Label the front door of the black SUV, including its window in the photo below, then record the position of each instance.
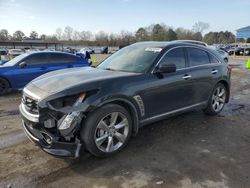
(167, 92)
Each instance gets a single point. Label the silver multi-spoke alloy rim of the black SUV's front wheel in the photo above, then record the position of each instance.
(111, 132)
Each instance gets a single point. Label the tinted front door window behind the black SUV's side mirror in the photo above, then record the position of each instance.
(175, 56)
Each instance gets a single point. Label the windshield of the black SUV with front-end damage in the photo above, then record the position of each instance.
(134, 58)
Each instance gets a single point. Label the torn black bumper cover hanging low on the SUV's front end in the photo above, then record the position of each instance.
(47, 142)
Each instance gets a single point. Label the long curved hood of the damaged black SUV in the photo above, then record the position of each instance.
(57, 81)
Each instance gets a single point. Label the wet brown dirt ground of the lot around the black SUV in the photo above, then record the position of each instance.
(191, 150)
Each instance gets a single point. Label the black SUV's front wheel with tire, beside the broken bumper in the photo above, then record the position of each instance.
(107, 130)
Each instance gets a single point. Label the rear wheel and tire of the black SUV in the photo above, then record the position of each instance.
(217, 100)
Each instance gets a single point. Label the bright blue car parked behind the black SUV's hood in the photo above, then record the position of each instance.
(16, 73)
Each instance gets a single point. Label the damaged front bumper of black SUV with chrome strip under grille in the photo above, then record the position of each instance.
(49, 142)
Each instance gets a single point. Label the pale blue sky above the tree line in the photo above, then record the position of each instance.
(45, 16)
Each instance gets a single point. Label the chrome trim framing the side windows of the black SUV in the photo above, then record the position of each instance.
(186, 46)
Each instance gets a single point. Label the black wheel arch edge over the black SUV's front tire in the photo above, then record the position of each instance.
(130, 107)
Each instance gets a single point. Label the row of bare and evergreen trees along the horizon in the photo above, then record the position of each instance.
(155, 32)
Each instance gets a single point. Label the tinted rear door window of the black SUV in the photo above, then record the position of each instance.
(197, 57)
